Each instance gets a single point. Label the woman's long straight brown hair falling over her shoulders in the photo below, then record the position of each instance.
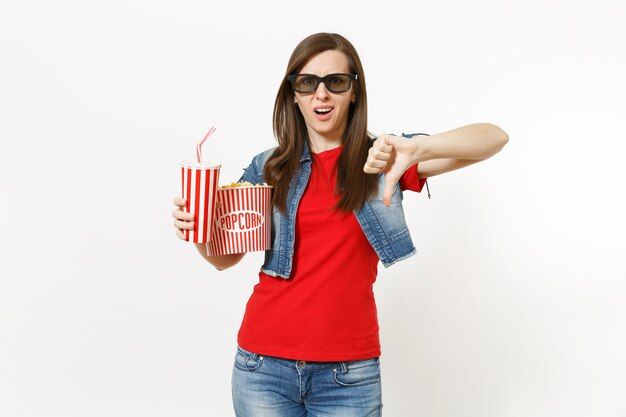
(290, 130)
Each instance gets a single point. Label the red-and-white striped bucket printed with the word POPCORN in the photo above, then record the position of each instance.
(243, 220)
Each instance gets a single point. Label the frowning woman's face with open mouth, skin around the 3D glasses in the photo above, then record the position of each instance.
(326, 113)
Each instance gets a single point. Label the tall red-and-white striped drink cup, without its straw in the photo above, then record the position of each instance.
(200, 184)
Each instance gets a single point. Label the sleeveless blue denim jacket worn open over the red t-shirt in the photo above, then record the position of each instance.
(384, 227)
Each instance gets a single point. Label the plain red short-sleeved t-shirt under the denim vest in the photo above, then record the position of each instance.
(326, 310)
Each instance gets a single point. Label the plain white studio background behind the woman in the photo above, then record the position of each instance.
(513, 306)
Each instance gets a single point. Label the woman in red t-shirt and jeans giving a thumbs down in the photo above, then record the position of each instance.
(308, 343)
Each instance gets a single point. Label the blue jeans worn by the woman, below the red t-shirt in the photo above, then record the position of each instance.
(265, 386)
